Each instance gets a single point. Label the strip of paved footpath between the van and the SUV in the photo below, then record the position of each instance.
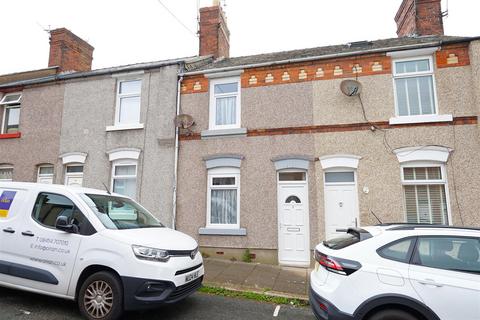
(275, 280)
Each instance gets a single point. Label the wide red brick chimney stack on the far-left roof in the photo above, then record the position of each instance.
(69, 52)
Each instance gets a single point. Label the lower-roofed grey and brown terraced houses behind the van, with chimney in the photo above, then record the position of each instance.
(106, 128)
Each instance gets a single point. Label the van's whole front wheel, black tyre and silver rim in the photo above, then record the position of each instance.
(100, 297)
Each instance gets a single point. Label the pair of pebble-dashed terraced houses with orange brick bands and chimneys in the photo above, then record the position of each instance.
(281, 158)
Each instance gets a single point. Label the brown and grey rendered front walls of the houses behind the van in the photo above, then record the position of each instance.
(68, 120)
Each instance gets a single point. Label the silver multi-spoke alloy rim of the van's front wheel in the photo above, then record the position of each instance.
(98, 299)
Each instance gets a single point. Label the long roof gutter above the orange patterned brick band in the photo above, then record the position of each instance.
(329, 56)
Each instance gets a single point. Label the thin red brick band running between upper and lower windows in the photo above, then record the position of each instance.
(468, 120)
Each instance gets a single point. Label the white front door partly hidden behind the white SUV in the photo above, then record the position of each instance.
(341, 206)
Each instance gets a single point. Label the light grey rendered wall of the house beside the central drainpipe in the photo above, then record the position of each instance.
(90, 108)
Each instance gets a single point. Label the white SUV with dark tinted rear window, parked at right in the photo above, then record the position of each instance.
(398, 272)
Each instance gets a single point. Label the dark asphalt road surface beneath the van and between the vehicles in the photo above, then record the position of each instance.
(20, 305)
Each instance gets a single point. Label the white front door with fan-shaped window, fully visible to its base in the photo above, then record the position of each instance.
(293, 229)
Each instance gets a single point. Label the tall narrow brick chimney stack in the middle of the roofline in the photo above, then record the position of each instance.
(214, 34)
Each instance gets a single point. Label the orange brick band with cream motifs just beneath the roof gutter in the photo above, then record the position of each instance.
(454, 55)
